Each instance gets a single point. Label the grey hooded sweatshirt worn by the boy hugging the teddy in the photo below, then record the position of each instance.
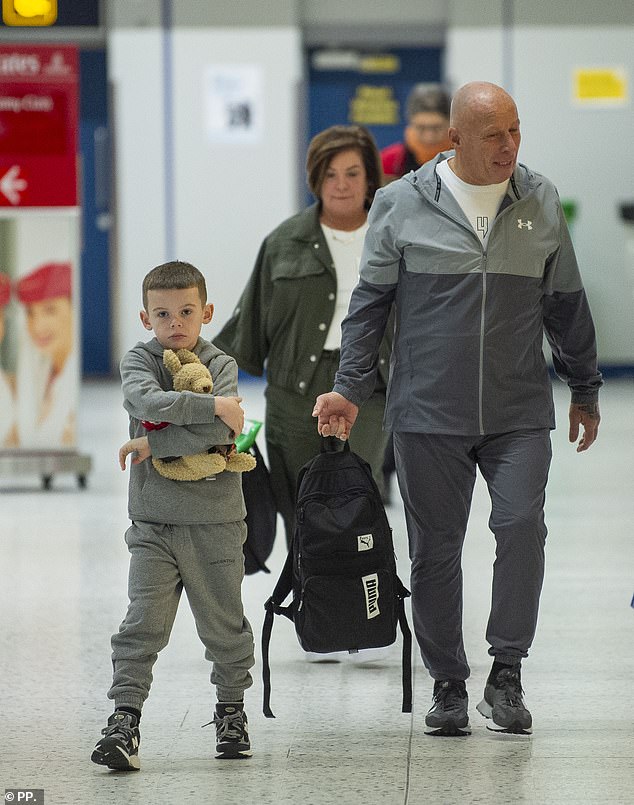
(193, 428)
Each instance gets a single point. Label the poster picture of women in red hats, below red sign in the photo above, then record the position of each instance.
(39, 372)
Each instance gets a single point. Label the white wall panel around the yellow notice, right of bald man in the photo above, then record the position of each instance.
(586, 151)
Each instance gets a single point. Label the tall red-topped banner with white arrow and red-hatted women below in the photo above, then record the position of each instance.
(39, 225)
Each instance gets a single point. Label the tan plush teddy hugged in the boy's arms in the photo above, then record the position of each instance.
(191, 375)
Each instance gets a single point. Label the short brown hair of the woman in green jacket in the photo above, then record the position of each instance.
(332, 141)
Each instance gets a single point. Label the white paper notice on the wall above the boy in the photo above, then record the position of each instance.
(234, 103)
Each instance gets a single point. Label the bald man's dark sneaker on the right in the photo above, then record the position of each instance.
(504, 705)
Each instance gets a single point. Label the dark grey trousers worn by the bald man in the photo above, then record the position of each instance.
(436, 476)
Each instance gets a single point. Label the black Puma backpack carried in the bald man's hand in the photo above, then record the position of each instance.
(341, 567)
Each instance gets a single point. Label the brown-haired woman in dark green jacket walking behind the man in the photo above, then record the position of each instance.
(289, 316)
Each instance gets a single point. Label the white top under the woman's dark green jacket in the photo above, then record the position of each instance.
(345, 249)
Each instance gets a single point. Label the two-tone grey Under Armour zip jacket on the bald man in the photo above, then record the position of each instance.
(467, 355)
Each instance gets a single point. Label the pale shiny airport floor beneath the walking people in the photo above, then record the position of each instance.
(339, 735)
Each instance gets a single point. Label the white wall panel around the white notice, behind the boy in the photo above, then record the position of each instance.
(229, 195)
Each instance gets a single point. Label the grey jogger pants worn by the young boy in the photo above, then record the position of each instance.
(207, 562)
